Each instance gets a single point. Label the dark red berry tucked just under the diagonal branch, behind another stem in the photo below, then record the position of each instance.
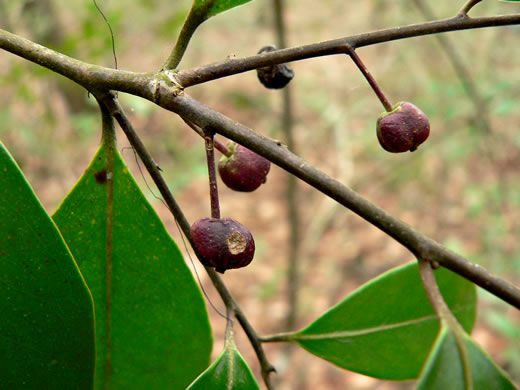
(244, 170)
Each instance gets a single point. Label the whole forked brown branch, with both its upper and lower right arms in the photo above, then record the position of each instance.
(164, 89)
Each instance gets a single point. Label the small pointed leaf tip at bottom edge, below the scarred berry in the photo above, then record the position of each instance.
(229, 371)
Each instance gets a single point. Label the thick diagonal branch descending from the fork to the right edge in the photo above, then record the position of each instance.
(421, 246)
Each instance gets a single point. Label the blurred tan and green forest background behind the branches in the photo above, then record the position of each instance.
(461, 188)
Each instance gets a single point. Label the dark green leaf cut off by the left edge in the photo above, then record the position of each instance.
(47, 325)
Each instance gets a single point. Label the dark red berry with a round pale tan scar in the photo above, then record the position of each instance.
(222, 243)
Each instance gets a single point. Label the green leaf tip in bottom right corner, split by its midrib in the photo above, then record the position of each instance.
(443, 370)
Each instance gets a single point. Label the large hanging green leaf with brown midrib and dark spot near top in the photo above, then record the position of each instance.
(152, 326)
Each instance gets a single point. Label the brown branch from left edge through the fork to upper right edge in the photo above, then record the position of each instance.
(94, 77)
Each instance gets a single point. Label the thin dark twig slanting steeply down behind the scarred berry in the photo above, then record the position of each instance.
(153, 169)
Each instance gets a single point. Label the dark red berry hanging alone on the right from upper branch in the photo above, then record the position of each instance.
(403, 129)
